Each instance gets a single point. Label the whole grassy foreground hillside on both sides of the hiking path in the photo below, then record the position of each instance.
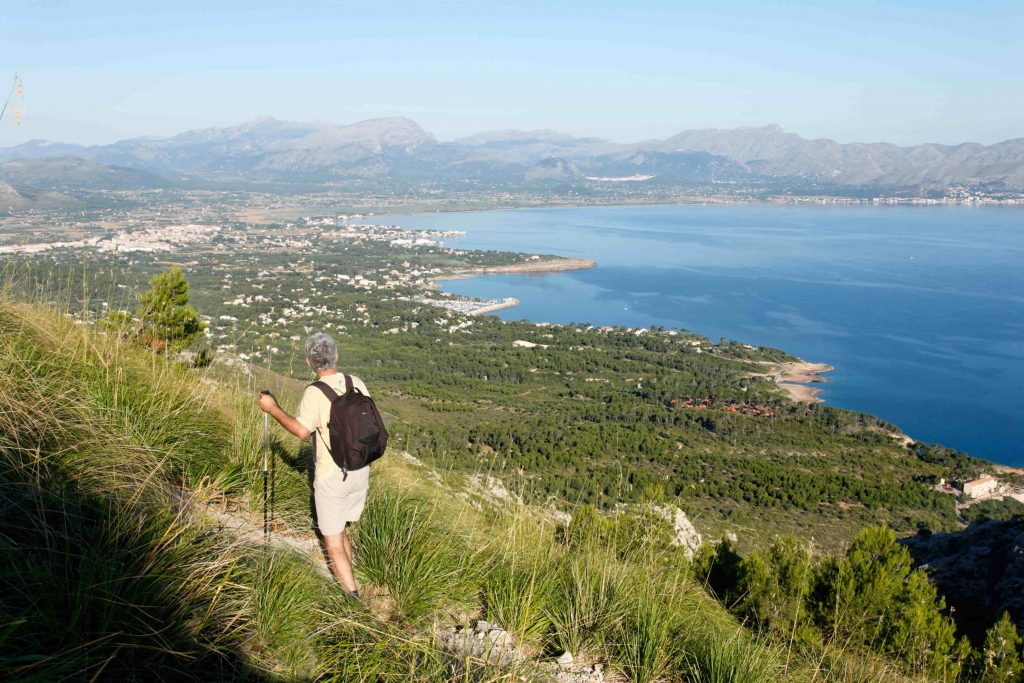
(114, 567)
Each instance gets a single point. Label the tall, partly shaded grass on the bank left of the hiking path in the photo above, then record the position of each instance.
(109, 569)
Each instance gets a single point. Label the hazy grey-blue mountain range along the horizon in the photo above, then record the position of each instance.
(397, 152)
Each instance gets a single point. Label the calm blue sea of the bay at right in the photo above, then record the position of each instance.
(921, 310)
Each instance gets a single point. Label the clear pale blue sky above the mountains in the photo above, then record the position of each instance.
(900, 72)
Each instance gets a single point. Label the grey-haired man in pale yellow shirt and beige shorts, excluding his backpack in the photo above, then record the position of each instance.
(339, 497)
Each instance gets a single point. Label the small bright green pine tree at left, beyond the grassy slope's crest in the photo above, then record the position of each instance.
(168, 322)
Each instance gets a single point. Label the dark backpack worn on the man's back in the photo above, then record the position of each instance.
(357, 432)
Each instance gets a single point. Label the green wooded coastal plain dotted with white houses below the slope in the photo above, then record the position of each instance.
(584, 417)
